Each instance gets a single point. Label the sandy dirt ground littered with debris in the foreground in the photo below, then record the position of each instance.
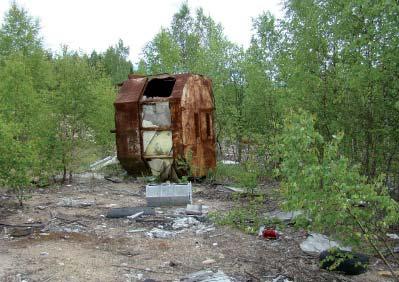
(72, 240)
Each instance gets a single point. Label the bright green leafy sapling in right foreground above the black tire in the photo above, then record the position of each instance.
(320, 180)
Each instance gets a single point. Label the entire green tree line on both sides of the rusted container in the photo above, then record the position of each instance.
(336, 60)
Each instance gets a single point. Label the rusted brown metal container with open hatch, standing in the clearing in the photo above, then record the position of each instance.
(165, 125)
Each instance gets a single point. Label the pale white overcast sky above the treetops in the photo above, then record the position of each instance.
(97, 24)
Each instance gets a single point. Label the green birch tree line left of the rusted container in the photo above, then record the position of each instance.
(54, 107)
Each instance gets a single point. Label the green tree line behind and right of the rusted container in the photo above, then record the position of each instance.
(337, 60)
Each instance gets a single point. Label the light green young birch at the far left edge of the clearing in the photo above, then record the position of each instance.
(20, 136)
